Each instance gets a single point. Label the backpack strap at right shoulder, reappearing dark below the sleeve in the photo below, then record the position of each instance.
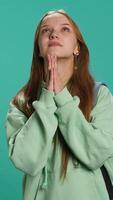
(104, 171)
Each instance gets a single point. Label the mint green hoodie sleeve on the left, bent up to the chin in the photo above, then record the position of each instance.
(30, 140)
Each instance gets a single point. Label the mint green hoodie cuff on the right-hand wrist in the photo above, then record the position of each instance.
(63, 97)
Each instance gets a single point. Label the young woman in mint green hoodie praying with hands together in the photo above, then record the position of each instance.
(57, 135)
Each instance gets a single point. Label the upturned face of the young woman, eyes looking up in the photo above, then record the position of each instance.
(57, 37)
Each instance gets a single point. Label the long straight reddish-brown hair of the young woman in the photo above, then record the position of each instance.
(81, 84)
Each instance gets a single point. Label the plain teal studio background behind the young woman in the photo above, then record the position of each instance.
(18, 21)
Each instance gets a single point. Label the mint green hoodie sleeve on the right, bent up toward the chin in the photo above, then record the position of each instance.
(90, 142)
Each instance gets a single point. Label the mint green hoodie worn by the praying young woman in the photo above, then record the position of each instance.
(31, 148)
